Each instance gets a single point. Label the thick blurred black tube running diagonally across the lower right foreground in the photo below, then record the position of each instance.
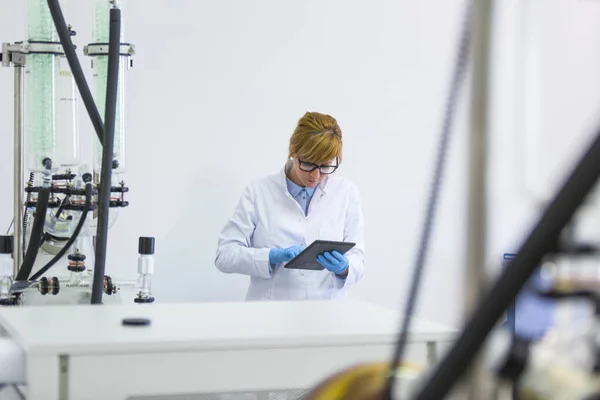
(495, 302)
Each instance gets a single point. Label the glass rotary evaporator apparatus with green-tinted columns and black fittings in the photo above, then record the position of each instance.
(56, 250)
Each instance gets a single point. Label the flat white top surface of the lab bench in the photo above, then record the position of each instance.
(87, 329)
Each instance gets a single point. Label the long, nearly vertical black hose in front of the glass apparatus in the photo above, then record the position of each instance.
(112, 86)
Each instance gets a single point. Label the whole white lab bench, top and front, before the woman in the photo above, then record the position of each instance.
(197, 349)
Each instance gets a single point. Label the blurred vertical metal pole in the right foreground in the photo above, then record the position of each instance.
(478, 169)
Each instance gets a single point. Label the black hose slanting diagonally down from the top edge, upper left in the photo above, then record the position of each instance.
(78, 75)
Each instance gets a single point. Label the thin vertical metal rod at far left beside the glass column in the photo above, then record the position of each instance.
(18, 171)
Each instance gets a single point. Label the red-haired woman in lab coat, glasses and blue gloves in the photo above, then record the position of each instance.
(279, 215)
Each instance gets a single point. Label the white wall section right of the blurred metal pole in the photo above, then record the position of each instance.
(547, 107)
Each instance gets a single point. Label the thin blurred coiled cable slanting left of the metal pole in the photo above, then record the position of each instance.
(460, 69)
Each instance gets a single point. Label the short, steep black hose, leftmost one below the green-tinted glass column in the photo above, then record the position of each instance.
(37, 230)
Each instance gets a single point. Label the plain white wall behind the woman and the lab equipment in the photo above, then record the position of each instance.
(218, 86)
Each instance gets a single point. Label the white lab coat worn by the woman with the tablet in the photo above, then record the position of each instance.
(267, 216)
